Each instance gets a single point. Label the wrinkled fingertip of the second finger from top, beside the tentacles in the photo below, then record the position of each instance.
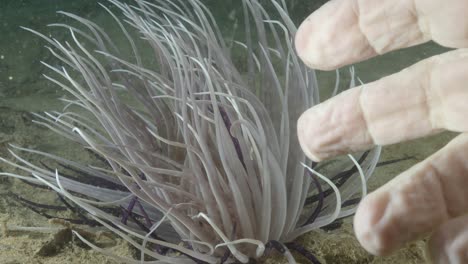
(334, 127)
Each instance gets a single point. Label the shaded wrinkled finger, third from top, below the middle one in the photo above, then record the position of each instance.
(415, 202)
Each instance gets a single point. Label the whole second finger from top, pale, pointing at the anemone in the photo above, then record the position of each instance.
(418, 101)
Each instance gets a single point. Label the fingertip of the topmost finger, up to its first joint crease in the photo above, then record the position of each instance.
(331, 37)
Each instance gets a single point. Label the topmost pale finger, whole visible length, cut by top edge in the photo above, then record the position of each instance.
(342, 32)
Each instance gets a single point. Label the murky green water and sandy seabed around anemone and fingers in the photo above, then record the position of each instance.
(23, 89)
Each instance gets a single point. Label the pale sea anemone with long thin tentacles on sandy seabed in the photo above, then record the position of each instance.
(203, 150)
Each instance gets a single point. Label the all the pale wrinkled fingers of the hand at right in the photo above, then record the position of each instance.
(426, 98)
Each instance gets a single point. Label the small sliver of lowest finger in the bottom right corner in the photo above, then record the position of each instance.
(449, 244)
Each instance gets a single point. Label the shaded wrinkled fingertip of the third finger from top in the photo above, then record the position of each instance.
(403, 210)
